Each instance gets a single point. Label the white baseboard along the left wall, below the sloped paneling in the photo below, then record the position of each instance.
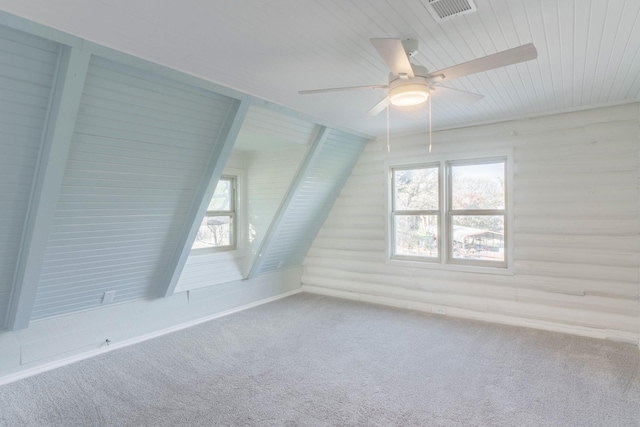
(104, 349)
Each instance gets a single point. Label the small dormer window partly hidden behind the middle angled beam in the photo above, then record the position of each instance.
(218, 227)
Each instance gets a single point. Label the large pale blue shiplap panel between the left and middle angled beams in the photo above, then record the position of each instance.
(138, 153)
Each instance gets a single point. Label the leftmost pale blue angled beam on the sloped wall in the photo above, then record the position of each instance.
(56, 140)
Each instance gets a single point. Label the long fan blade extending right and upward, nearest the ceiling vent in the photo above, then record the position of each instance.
(497, 60)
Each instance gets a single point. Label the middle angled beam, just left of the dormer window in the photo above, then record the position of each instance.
(227, 138)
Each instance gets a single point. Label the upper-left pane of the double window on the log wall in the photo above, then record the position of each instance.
(416, 189)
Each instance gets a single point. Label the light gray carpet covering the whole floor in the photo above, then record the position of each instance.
(310, 360)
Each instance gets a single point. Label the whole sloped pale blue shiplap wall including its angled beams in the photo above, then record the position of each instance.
(109, 163)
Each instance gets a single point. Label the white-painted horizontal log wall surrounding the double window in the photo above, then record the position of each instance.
(575, 229)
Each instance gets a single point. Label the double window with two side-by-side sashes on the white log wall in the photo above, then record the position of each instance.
(450, 212)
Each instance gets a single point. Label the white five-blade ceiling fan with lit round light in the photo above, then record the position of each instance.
(411, 84)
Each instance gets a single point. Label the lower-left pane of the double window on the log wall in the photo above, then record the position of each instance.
(416, 235)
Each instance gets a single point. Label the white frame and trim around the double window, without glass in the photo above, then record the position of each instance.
(445, 260)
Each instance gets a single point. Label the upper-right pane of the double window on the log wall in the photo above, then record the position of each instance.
(478, 186)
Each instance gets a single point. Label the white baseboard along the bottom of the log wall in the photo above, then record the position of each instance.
(620, 336)
